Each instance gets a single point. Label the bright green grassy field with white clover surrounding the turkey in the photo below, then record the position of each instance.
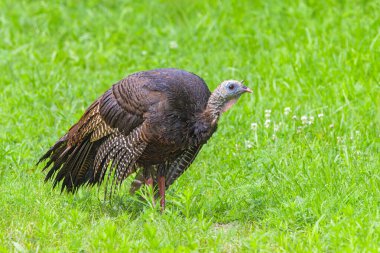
(294, 167)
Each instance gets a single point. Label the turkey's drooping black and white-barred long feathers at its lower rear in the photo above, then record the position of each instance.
(87, 162)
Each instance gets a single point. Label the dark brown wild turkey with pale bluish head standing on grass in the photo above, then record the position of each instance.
(153, 123)
